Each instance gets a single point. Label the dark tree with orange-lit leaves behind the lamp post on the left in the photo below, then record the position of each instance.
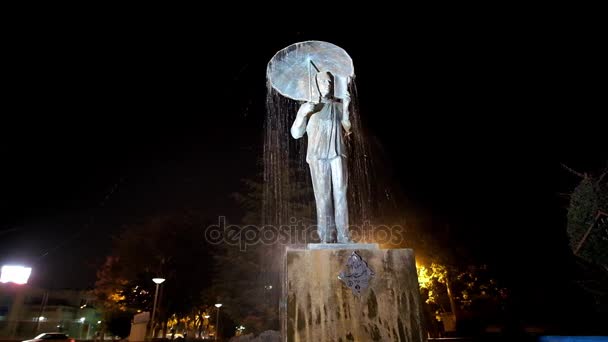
(171, 247)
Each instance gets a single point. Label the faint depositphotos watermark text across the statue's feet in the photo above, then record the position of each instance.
(296, 233)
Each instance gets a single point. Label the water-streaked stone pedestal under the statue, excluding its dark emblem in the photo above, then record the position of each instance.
(319, 307)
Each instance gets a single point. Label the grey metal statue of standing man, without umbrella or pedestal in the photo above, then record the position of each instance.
(327, 123)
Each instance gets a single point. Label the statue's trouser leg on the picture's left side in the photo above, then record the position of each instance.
(320, 171)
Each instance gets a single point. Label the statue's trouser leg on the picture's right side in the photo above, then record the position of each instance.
(339, 175)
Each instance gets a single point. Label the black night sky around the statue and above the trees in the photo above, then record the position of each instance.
(105, 127)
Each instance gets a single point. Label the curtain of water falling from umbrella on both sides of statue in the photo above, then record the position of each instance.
(288, 195)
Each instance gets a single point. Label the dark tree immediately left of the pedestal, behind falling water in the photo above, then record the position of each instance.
(248, 276)
